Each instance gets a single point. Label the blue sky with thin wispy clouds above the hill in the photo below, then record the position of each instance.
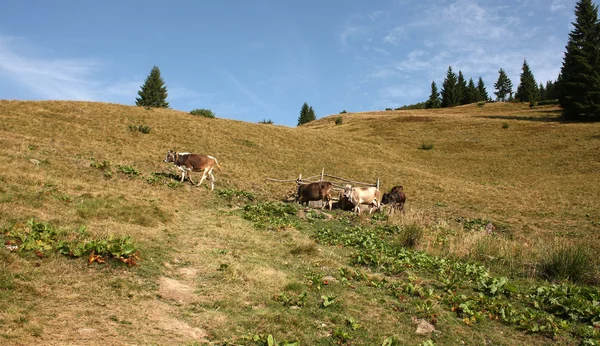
(262, 59)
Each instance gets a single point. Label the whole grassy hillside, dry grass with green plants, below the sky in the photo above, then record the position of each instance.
(211, 271)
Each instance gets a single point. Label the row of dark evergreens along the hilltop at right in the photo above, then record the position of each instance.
(577, 87)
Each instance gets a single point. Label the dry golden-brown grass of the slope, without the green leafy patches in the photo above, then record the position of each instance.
(538, 178)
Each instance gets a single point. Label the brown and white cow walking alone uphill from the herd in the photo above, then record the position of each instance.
(188, 162)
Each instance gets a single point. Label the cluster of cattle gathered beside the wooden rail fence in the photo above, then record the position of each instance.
(351, 198)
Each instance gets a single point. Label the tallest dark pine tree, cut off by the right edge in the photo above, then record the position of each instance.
(579, 88)
